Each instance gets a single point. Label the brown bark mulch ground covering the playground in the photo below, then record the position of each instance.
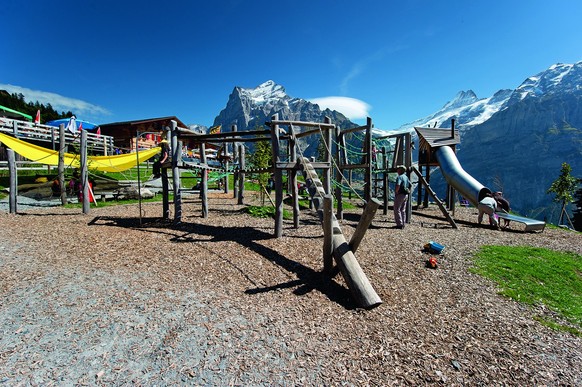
(98, 299)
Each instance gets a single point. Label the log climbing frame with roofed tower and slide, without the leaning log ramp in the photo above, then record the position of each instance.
(437, 148)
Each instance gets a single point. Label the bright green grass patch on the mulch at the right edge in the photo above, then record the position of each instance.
(537, 276)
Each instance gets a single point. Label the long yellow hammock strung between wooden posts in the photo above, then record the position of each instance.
(38, 154)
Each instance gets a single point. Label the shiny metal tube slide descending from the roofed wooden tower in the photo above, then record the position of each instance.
(471, 189)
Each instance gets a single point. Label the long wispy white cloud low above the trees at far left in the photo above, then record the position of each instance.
(58, 102)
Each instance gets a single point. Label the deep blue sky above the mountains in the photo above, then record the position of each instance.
(394, 61)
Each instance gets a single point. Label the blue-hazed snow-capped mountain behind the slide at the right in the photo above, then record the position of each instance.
(516, 140)
